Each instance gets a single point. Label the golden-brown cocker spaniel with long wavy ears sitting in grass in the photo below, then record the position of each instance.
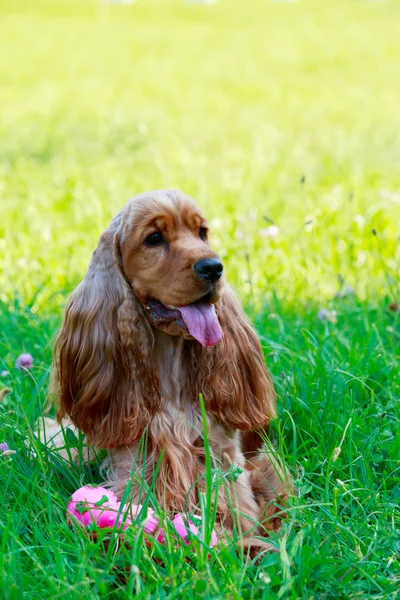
(153, 326)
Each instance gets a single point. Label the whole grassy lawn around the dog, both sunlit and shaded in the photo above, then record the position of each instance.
(263, 111)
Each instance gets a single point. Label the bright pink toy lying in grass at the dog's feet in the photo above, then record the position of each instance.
(96, 504)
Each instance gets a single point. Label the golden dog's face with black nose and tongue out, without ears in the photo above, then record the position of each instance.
(171, 267)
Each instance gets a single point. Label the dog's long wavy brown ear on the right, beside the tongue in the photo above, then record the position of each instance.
(232, 375)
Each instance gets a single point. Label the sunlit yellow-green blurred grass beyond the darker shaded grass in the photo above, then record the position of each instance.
(269, 113)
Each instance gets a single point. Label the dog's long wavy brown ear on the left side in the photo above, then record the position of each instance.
(104, 376)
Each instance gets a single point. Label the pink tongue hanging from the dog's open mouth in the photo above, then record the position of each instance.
(202, 322)
